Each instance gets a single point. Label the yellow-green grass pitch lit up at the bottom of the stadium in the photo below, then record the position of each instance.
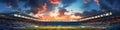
(59, 28)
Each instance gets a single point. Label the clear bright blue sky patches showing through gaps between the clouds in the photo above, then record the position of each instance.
(76, 6)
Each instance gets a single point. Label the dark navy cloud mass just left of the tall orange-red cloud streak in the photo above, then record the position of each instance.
(35, 4)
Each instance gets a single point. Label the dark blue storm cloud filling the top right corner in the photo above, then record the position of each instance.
(110, 4)
